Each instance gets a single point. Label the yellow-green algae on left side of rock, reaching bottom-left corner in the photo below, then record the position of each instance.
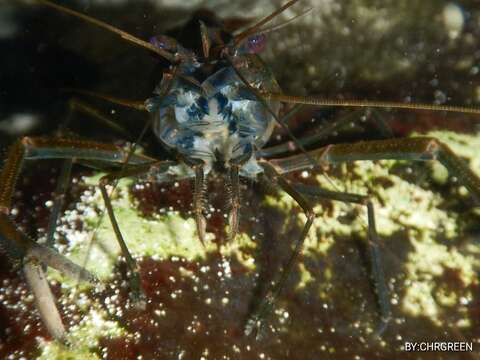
(166, 236)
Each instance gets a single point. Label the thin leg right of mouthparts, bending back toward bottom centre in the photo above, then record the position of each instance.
(255, 321)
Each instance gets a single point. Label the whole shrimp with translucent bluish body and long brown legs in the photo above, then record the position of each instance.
(214, 112)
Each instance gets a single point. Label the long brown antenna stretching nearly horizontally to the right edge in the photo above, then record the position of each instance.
(312, 100)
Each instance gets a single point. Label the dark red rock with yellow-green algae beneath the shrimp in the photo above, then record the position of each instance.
(197, 293)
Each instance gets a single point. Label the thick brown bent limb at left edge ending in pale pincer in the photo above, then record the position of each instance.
(22, 249)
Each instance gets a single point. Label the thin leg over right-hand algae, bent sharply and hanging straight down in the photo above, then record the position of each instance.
(377, 273)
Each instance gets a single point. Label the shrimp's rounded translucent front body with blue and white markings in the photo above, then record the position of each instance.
(219, 122)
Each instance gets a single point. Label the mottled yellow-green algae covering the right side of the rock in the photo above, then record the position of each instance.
(403, 206)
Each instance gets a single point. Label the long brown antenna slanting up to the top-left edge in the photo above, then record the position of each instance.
(124, 35)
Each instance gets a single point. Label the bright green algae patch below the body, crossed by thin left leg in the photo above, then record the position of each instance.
(165, 236)
